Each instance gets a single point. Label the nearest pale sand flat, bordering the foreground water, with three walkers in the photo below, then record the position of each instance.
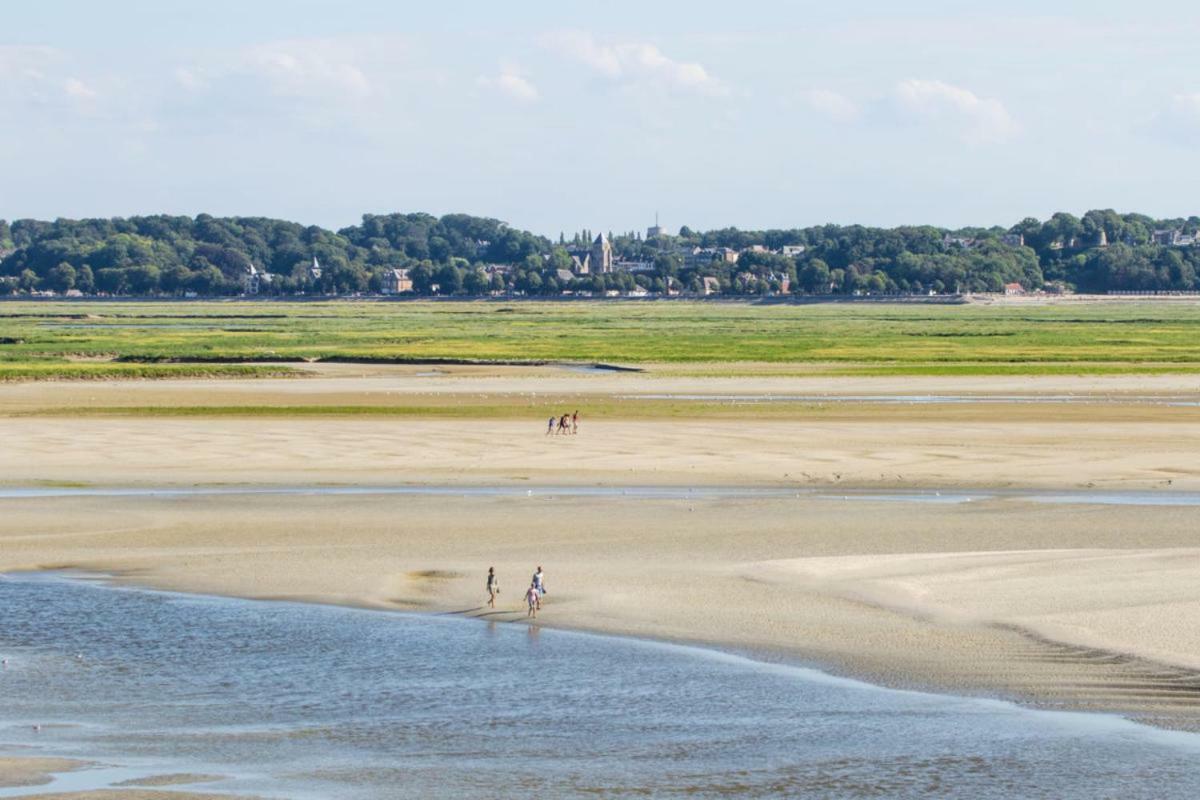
(1004, 597)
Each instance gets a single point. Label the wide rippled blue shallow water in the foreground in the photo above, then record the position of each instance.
(307, 701)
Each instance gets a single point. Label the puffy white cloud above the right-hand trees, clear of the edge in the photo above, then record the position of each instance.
(976, 119)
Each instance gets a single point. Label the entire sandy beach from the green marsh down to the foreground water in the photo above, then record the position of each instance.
(1081, 605)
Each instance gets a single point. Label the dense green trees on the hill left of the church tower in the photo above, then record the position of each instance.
(211, 256)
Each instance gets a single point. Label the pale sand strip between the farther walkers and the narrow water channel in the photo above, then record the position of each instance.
(988, 453)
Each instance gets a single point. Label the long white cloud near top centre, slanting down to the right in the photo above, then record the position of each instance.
(639, 64)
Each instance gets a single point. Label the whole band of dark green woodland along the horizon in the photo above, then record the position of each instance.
(460, 255)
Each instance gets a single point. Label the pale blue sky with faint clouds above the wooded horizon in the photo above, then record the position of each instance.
(561, 116)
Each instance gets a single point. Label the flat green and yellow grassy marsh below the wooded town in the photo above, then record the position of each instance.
(146, 340)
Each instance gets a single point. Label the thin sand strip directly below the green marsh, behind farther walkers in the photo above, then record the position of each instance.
(347, 384)
